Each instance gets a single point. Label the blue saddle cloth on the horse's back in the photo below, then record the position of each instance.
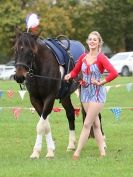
(76, 49)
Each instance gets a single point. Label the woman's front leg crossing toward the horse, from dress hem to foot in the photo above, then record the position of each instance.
(92, 112)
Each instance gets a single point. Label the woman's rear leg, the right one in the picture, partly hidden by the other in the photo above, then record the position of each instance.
(98, 136)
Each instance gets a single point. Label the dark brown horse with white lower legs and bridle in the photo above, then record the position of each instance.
(38, 67)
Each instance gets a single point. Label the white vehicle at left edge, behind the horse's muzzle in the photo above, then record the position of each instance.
(7, 72)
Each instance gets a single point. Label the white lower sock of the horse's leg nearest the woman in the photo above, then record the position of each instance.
(72, 140)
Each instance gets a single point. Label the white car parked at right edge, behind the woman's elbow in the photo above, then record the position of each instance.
(123, 63)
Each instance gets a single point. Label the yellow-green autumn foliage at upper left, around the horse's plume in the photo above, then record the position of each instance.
(53, 20)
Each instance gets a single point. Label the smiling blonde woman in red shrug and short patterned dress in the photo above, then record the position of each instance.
(93, 93)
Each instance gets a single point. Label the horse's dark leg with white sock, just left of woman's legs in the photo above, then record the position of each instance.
(70, 113)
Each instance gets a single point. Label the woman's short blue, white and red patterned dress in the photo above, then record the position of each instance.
(91, 92)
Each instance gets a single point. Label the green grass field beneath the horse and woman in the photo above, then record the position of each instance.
(17, 138)
